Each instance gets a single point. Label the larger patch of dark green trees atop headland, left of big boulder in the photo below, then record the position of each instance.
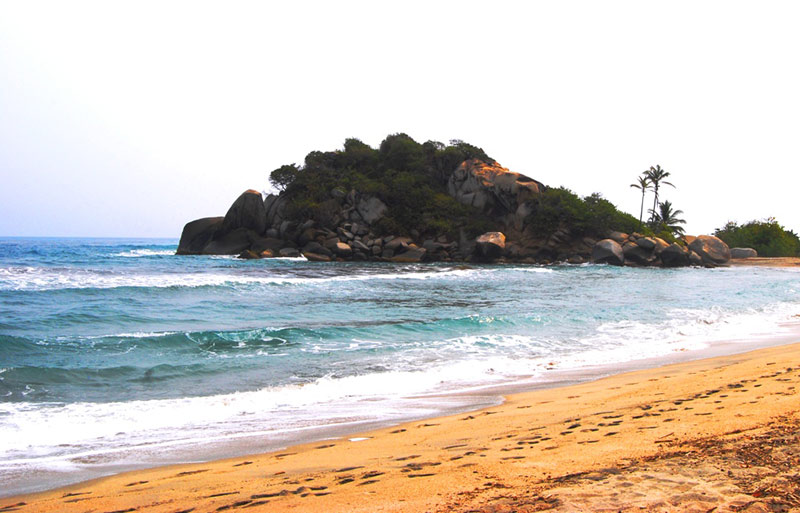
(408, 176)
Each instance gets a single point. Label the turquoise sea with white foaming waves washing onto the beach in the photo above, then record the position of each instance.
(115, 353)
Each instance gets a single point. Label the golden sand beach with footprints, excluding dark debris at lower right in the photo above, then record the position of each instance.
(604, 429)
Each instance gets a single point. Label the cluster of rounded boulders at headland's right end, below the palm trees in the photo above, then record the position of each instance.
(638, 250)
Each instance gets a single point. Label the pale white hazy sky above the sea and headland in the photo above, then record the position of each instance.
(132, 118)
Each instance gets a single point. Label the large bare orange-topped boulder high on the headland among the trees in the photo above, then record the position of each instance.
(491, 187)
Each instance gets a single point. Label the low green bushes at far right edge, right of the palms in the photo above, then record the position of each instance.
(767, 237)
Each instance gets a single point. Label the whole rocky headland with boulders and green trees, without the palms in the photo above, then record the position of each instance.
(410, 202)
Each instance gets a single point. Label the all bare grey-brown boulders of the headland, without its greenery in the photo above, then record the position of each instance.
(343, 228)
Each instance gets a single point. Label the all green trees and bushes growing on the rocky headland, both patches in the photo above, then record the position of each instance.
(411, 178)
